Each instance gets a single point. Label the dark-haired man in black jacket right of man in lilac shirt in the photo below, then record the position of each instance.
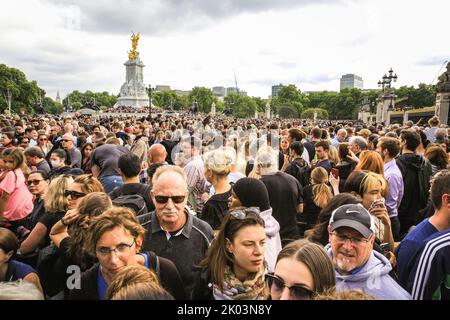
(416, 172)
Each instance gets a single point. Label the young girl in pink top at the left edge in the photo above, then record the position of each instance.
(16, 202)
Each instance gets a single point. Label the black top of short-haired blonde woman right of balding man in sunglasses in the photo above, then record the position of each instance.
(215, 208)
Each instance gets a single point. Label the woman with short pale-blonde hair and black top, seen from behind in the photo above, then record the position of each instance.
(217, 168)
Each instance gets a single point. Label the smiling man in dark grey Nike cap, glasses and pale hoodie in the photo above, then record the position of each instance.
(357, 265)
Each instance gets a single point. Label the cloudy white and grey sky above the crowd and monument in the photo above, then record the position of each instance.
(78, 45)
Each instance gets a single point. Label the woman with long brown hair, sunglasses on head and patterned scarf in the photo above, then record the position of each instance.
(233, 268)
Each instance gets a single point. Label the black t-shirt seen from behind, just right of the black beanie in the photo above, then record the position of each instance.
(285, 193)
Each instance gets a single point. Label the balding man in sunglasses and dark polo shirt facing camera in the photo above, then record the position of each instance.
(173, 232)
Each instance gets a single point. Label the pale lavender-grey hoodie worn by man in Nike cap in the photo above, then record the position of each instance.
(373, 278)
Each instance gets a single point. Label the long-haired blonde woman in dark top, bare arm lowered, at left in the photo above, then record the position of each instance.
(55, 205)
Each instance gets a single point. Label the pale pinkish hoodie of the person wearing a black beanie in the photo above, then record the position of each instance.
(273, 240)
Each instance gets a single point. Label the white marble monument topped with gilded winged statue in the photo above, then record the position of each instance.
(133, 92)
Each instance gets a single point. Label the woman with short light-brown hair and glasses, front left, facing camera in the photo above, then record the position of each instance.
(115, 238)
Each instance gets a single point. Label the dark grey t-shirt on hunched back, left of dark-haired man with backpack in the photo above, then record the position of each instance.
(106, 157)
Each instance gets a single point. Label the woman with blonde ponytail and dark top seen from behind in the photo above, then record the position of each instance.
(316, 196)
